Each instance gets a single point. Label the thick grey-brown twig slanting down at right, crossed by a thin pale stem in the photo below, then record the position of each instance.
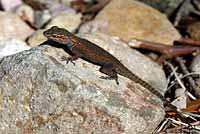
(185, 71)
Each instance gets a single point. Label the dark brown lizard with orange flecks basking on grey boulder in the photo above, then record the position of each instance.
(86, 50)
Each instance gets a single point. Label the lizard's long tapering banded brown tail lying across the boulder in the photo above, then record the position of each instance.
(127, 73)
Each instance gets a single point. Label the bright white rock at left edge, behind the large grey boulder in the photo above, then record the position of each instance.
(11, 46)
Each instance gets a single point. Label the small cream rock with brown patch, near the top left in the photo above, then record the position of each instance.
(25, 12)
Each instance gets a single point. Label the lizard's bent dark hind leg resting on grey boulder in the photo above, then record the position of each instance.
(109, 70)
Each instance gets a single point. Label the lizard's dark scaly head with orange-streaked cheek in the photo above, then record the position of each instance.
(57, 34)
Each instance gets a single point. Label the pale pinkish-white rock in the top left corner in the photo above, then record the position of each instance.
(8, 5)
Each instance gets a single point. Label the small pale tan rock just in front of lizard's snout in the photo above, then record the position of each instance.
(37, 38)
